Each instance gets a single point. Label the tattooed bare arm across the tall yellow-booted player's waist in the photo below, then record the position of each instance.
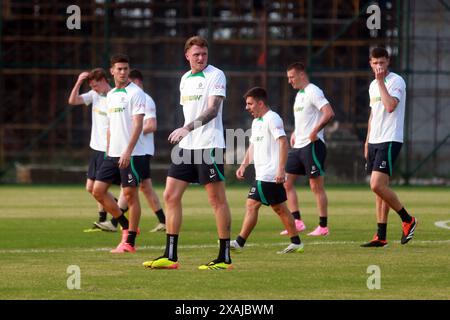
(210, 113)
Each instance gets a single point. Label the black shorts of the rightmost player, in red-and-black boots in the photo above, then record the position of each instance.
(382, 156)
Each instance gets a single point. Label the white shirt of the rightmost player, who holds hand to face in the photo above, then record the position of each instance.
(385, 126)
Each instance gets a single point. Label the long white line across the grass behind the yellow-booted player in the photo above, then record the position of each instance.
(193, 246)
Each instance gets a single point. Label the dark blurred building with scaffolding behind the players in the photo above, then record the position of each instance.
(42, 139)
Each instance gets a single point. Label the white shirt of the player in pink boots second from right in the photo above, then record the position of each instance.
(307, 105)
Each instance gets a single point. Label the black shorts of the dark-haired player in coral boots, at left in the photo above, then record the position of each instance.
(130, 176)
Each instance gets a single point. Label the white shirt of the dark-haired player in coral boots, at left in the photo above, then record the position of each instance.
(123, 104)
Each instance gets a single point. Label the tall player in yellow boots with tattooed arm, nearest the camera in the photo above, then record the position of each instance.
(201, 140)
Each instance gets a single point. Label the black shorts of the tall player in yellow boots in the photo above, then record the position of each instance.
(198, 166)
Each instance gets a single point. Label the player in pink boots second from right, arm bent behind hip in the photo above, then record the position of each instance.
(312, 113)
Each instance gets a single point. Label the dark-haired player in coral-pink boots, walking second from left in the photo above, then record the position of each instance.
(126, 160)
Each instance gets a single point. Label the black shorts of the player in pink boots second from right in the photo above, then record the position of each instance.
(307, 161)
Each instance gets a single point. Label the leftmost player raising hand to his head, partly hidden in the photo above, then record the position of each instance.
(98, 82)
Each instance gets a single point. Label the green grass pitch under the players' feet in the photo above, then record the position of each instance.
(41, 235)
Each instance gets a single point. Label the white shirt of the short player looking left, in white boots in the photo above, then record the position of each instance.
(266, 151)
